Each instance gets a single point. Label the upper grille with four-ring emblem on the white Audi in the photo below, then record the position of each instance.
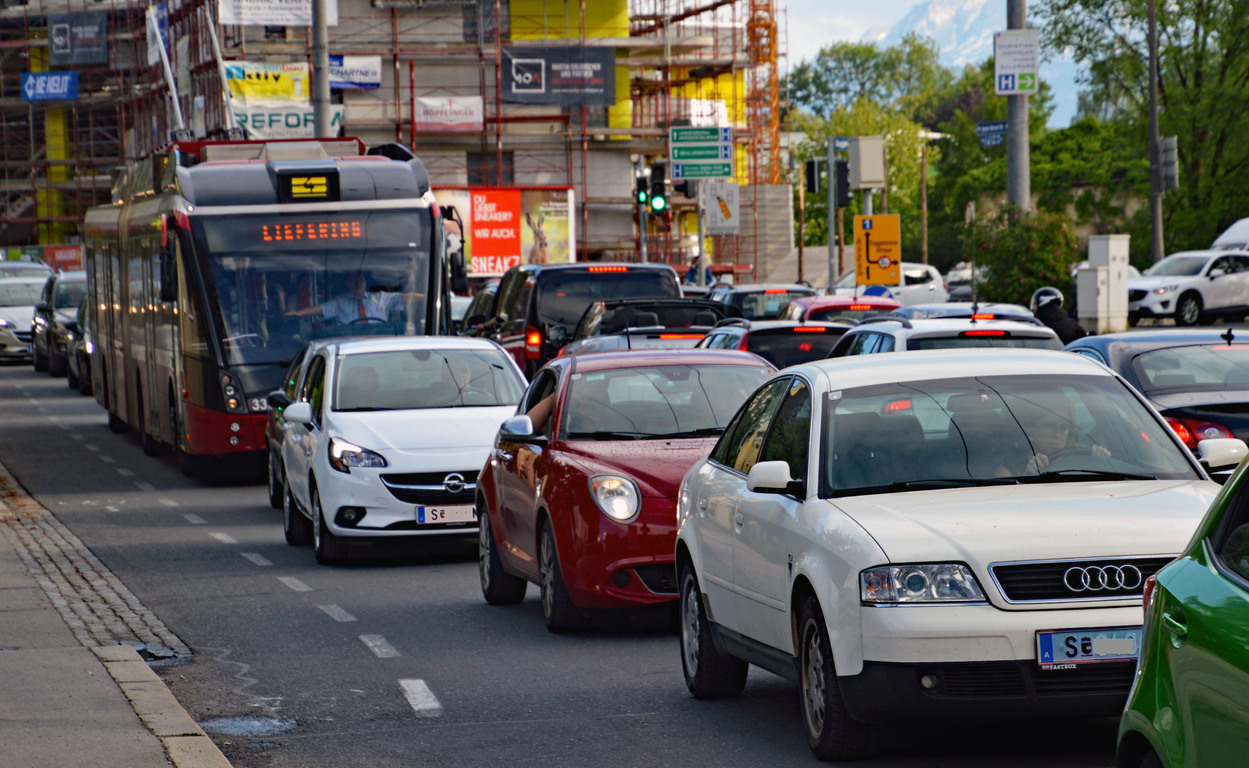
(1055, 581)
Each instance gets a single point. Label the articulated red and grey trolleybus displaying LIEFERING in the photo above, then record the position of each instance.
(207, 270)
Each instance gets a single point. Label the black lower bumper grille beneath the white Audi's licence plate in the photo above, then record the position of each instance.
(1012, 680)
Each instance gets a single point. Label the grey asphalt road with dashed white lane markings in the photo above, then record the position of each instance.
(398, 660)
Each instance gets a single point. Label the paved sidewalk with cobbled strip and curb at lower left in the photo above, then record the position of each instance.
(66, 697)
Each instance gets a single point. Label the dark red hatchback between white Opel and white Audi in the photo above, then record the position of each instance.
(580, 494)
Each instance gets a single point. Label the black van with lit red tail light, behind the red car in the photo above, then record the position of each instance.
(538, 307)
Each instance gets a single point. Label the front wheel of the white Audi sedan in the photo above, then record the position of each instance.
(832, 735)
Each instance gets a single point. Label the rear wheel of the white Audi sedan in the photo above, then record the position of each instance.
(709, 672)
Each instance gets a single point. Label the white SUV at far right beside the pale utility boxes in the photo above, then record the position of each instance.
(1192, 287)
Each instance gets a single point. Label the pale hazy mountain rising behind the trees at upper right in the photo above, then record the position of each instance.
(964, 31)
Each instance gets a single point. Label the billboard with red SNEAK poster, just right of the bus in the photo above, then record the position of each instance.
(513, 227)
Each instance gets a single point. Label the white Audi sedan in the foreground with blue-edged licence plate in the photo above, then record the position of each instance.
(954, 534)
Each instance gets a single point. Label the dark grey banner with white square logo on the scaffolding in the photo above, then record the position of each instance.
(571, 77)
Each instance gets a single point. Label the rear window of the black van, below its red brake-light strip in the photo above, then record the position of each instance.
(565, 295)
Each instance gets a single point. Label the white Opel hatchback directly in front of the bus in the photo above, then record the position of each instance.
(387, 438)
